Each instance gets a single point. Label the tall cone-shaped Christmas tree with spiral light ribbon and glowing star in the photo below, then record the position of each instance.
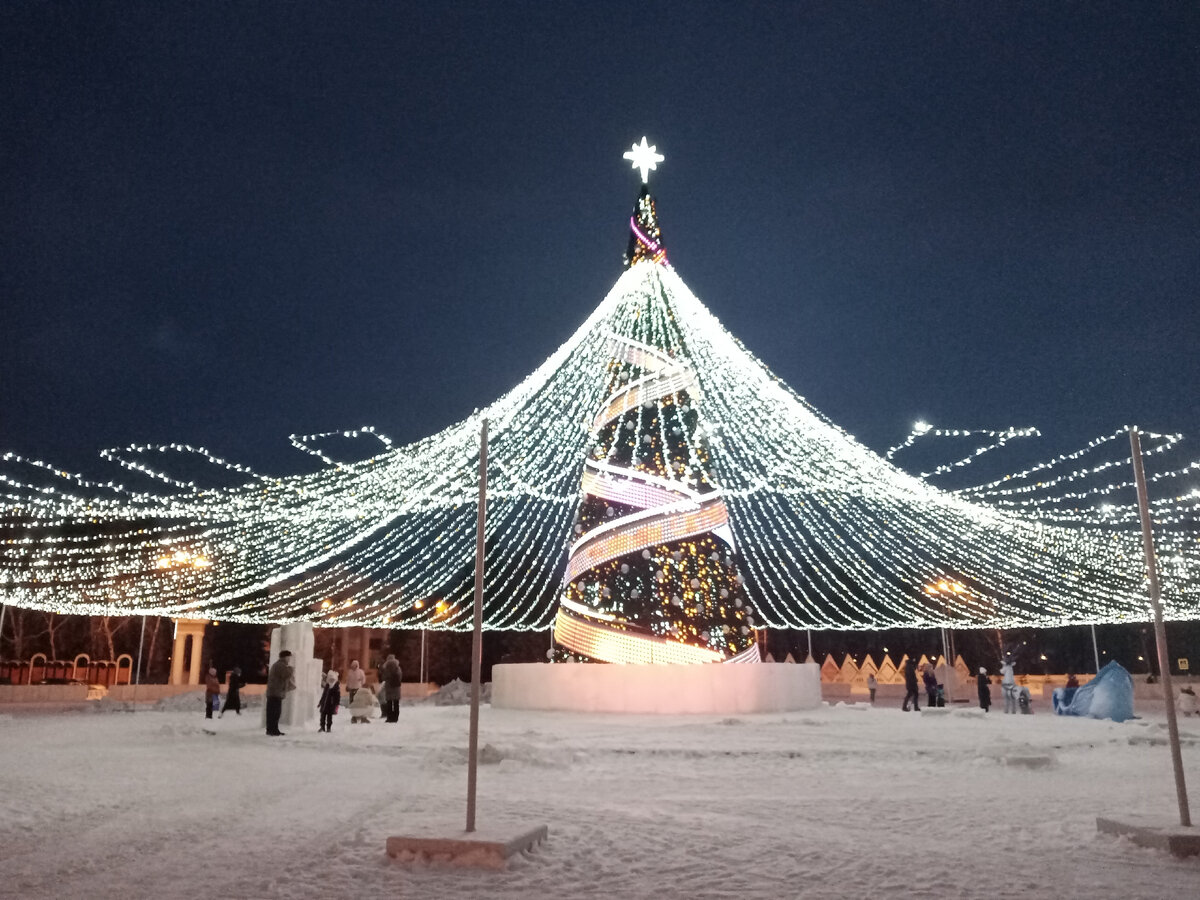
(652, 574)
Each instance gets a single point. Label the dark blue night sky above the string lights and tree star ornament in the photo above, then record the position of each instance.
(224, 224)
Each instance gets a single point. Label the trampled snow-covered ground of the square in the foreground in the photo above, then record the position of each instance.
(836, 803)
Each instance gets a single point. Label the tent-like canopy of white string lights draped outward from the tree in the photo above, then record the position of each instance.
(829, 535)
